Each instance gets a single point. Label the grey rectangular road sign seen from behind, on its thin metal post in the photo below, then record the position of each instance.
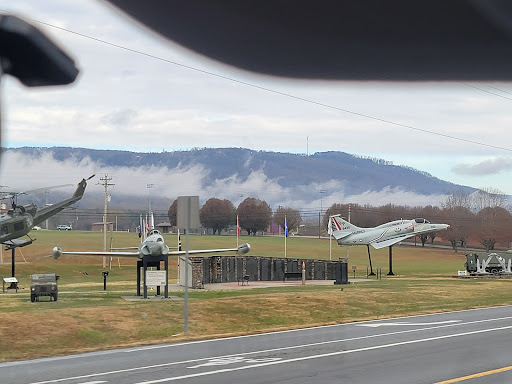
(187, 217)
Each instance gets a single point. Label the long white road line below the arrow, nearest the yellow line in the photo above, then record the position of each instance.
(311, 357)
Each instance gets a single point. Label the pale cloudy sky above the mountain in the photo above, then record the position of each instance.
(139, 92)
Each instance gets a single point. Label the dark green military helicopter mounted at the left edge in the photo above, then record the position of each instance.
(20, 219)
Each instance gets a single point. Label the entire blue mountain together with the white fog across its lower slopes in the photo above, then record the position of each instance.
(291, 180)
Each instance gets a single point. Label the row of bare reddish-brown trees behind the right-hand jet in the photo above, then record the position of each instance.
(482, 217)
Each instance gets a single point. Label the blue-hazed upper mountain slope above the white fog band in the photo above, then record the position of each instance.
(289, 170)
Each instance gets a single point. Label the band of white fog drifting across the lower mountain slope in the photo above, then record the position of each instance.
(22, 173)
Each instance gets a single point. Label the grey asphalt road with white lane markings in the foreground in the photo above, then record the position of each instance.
(420, 349)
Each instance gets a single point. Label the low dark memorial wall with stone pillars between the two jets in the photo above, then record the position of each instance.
(223, 269)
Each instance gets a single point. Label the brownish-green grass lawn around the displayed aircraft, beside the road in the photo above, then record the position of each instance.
(87, 318)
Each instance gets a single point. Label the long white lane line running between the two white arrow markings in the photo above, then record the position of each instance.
(269, 350)
